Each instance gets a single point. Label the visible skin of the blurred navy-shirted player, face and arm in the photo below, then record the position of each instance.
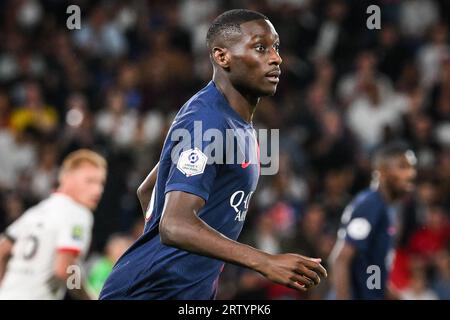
(396, 178)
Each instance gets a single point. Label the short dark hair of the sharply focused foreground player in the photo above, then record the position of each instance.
(229, 22)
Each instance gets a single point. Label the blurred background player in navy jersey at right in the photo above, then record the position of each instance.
(369, 224)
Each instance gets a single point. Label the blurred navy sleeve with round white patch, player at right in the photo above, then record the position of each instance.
(363, 221)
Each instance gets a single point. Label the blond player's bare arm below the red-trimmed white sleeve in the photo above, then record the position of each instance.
(61, 273)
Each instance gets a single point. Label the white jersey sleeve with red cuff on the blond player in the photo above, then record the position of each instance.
(74, 233)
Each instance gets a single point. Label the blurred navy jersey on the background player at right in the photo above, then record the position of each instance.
(369, 224)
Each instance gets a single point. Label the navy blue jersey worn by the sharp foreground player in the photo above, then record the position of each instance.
(211, 152)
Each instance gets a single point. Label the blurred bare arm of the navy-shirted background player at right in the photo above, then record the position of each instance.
(341, 270)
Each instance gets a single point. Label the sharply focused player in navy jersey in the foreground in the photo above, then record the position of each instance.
(198, 206)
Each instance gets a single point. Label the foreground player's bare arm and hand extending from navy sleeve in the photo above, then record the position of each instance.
(181, 227)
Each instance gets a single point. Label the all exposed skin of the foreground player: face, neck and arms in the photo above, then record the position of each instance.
(246, 67)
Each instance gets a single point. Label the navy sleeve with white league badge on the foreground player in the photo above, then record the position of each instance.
(192, 170)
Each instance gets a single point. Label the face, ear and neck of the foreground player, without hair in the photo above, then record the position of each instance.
(242, 65)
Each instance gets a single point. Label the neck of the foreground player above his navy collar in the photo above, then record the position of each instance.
(243, 104)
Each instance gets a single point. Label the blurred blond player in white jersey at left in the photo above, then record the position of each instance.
(37, 249)
